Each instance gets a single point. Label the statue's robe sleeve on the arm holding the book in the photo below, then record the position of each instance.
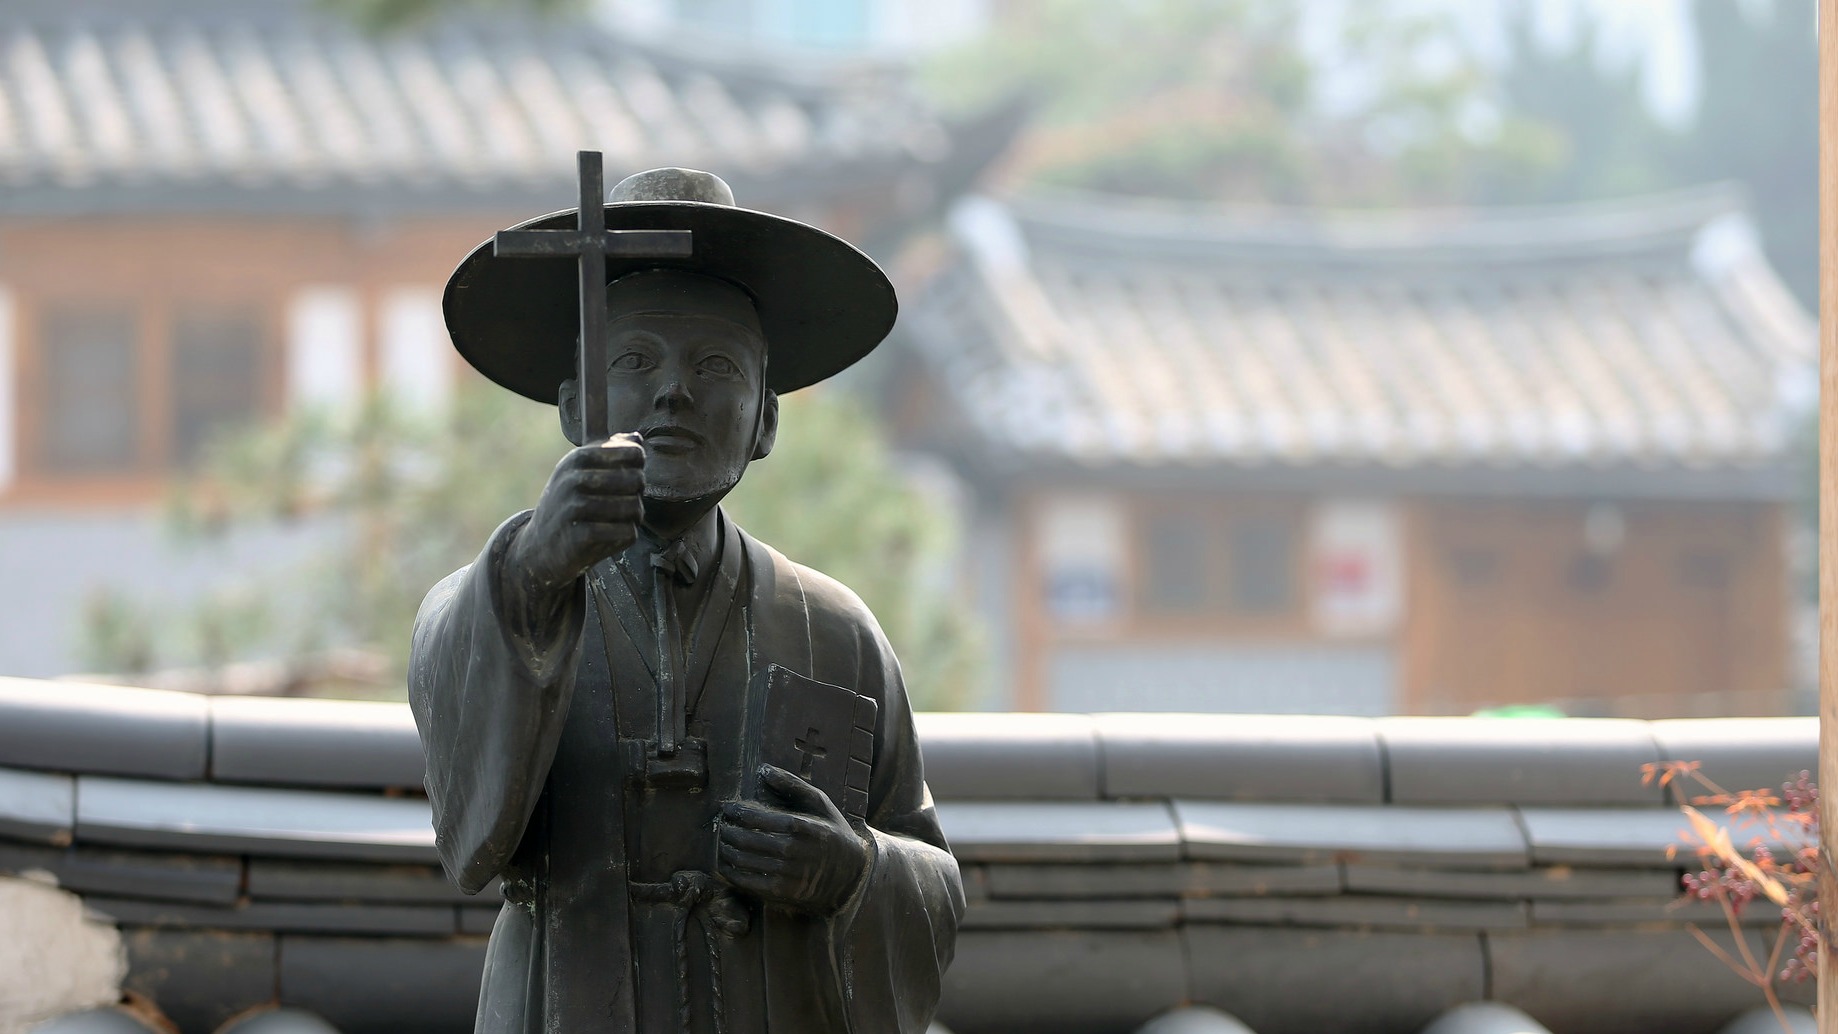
(898, 934)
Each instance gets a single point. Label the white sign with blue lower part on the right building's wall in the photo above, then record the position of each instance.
(1082, 546)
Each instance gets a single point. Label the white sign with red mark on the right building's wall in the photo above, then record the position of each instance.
(1357, 568)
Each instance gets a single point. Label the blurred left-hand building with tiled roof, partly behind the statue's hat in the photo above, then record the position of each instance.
(216, 212)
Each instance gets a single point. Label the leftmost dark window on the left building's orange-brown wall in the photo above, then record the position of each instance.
(91, 390)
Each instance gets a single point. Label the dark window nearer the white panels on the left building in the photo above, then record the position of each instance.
(216, 376)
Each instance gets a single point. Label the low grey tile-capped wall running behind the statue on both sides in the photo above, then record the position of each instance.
(1117, 866)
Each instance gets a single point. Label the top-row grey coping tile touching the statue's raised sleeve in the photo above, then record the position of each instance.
(315, 743)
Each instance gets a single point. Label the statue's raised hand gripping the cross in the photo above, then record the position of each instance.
(589, 511)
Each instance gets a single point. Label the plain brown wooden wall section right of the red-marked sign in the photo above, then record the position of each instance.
(1681, 613)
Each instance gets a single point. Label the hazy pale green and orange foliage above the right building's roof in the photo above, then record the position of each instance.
(1218, 100)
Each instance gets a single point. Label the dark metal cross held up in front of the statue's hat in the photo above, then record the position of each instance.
(589, 243)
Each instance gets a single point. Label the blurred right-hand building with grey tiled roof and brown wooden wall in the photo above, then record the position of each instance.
(1416, 462)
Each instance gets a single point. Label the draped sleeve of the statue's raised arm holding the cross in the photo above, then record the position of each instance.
(490, 693)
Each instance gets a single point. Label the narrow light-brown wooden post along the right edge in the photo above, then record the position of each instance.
(1828, 19)
